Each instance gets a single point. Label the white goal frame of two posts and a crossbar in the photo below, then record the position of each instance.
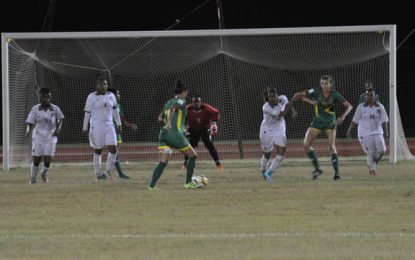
(393, 110)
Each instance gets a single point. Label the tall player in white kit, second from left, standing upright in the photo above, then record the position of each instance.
(101, 113)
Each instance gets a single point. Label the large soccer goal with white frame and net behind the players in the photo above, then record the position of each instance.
(230, 69)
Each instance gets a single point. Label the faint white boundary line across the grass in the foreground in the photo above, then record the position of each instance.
(212, 235)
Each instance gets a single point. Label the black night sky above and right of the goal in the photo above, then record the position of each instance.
(122, 15)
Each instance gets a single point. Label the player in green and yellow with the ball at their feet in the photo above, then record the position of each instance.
(172, 118)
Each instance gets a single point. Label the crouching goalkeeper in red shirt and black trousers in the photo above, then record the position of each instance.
(201, 124)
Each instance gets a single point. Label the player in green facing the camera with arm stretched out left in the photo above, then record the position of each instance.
(324, 119)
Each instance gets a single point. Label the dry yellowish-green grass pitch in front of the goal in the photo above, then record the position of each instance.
(238, 216)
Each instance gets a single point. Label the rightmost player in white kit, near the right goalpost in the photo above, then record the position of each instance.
(372, 120)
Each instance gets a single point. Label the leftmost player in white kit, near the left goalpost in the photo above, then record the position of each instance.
(44, 122)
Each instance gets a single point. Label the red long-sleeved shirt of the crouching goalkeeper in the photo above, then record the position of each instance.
(201, 119)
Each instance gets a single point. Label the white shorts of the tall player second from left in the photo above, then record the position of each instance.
(102, 136)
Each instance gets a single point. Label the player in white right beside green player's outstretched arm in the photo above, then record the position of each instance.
(272, 131)
